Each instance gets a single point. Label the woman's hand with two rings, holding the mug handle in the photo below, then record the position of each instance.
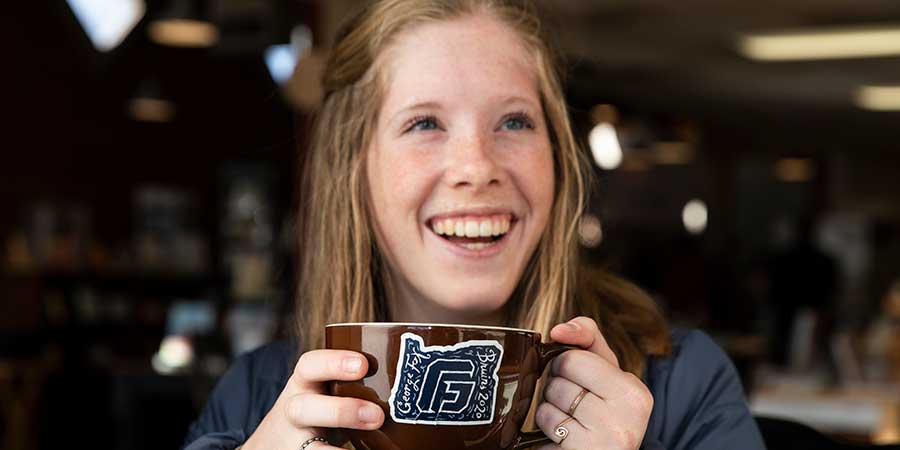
(614, 412)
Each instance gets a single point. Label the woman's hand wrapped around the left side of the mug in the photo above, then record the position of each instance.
(304, 410)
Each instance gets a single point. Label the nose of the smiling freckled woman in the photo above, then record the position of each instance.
(472, 163)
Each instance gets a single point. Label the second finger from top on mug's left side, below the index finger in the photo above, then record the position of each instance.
(325, 411)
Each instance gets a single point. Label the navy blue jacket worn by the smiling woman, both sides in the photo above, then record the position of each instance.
(698, 401)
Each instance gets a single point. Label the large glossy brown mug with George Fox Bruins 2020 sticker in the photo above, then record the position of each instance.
(444, 386)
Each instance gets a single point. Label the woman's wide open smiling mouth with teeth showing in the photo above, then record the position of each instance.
(473, 232)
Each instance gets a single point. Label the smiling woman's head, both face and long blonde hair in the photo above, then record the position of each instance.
(393, 100)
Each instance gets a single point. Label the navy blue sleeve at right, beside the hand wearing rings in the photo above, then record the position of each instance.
(699, 403)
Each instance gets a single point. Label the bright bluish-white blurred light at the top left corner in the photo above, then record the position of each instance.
(107, 22)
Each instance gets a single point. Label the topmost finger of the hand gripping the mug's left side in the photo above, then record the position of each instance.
(317, 366)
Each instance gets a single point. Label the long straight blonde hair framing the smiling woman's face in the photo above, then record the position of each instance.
(342, 270)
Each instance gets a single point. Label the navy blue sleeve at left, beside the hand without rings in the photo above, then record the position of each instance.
(240, 400)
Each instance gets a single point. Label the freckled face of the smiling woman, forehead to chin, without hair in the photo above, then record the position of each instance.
(460, 168)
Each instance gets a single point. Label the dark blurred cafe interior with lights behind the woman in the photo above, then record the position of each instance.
(746, 158)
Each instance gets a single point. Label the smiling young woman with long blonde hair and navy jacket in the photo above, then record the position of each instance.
(444, 185)
